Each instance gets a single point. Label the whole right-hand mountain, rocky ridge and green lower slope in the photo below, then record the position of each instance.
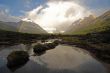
(90, 25)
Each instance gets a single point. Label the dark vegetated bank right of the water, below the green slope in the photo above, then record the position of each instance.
(97, 43)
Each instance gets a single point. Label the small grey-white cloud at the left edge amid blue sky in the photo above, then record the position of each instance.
(6, 17)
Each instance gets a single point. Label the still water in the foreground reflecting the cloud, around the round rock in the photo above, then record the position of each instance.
(62, 59)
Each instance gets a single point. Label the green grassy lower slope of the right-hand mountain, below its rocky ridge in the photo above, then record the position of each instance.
(97, 26)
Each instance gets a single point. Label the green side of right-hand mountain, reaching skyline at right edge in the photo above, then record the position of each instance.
(100, 24)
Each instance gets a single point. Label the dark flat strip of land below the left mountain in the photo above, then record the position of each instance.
(13, 38)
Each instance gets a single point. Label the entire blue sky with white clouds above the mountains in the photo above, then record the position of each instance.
(50, 14)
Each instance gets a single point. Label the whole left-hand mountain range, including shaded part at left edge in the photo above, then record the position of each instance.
(22, 26)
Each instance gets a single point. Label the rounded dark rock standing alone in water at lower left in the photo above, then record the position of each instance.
(17, 59)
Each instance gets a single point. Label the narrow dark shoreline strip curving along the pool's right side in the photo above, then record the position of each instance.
(95, 53)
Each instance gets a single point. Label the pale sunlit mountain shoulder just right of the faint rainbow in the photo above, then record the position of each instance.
(30, 27)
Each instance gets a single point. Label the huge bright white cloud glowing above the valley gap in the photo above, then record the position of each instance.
(56, 13)
